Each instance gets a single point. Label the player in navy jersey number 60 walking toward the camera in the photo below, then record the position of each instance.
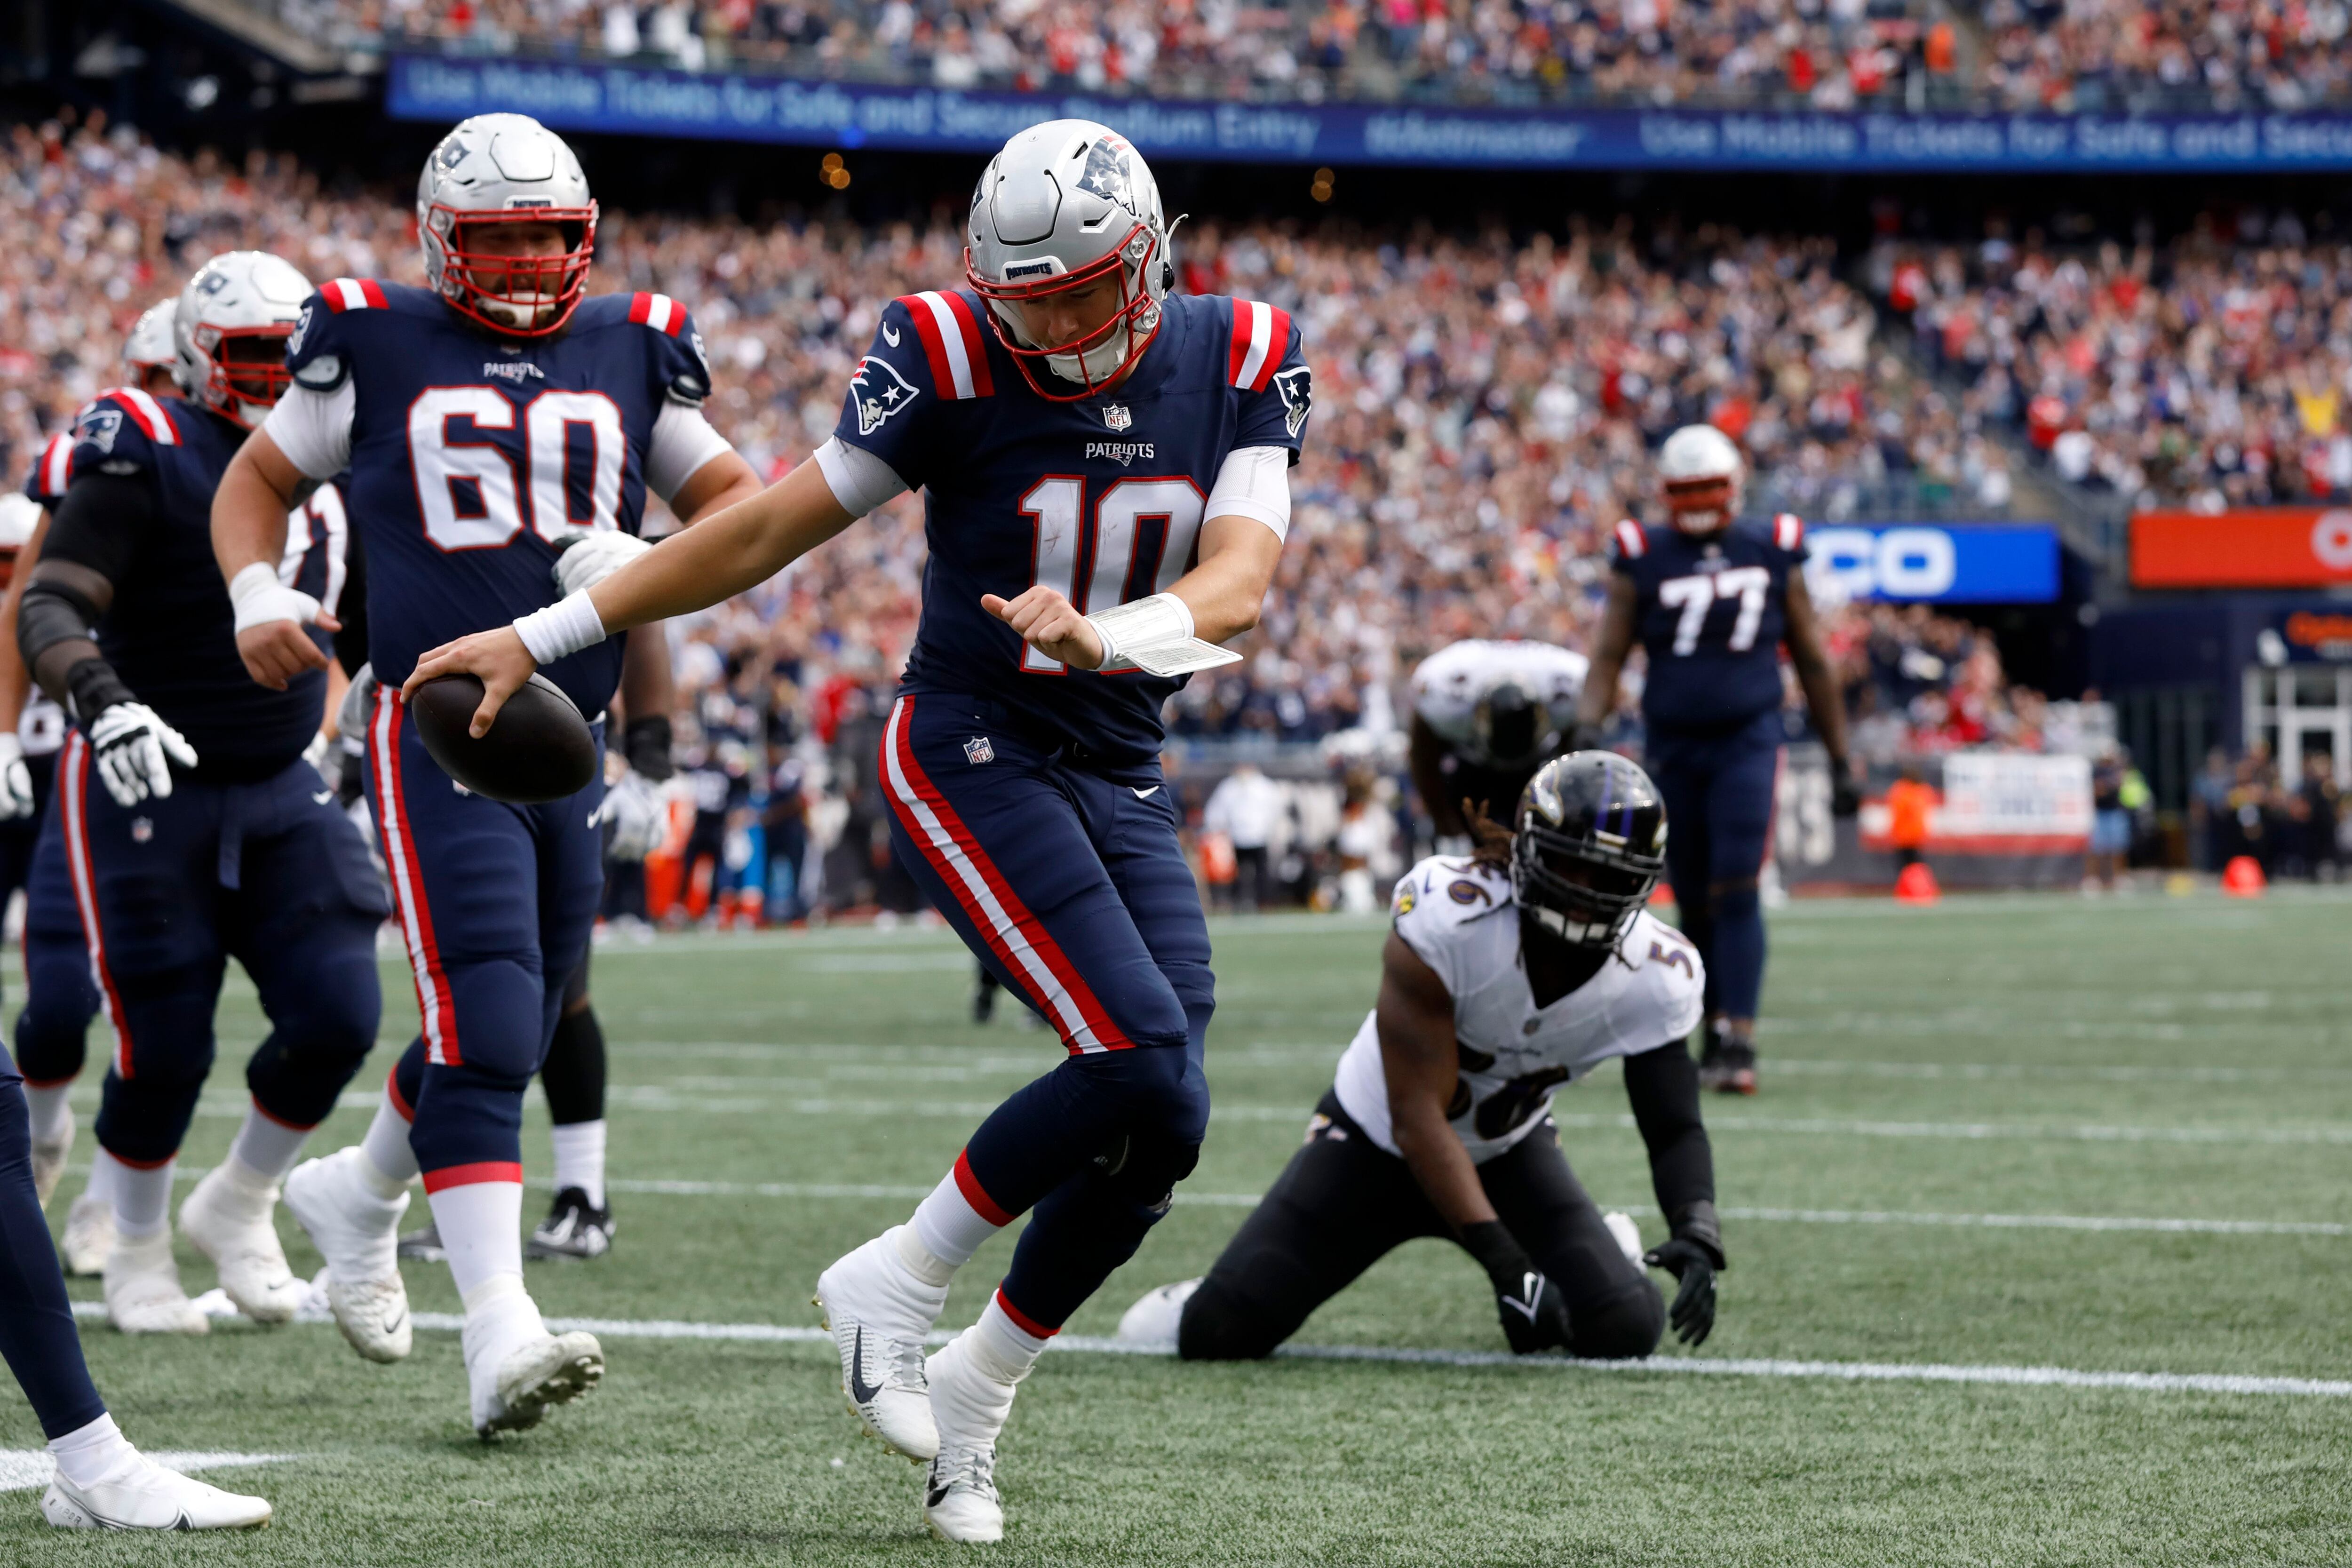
(493, 422)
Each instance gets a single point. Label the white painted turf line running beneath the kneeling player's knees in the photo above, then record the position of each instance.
(1845, 1372)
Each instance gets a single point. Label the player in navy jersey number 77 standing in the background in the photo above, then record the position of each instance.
(1711, 603)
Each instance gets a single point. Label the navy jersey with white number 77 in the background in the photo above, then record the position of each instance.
(1711, 612)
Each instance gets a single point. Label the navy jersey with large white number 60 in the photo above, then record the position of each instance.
(474, 455)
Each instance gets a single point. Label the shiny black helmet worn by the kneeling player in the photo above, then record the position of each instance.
(1589, 845)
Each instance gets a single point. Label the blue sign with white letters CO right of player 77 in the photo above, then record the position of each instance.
(1967, 563)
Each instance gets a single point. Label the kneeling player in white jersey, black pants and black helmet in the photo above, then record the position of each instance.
(1509, 974)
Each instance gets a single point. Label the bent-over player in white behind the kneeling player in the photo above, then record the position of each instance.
(1488, 713)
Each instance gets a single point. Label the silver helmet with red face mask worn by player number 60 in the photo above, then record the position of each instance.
(505, 170)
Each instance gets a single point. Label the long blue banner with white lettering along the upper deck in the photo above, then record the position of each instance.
(596, 98)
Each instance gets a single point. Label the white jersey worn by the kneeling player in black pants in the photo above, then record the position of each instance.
(1459, 920)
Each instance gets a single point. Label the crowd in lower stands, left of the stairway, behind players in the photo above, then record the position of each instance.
(1485, 408)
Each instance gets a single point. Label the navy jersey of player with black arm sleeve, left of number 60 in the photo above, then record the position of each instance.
(171, 631)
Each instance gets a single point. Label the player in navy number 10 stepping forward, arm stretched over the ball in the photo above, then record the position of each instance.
(1107, 476)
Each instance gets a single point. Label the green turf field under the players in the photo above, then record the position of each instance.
(1932, 1076)
